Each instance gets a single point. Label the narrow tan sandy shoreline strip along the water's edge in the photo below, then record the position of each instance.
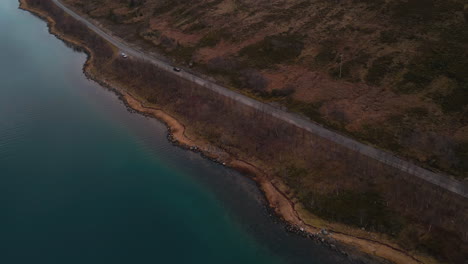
(277, 199)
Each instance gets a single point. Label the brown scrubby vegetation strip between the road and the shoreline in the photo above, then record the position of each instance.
(330, 181)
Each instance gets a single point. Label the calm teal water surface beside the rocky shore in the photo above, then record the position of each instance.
(82, 180)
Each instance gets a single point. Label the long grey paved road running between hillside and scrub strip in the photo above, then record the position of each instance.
(438, 179)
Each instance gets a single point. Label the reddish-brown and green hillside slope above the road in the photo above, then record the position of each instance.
(403, 84)
